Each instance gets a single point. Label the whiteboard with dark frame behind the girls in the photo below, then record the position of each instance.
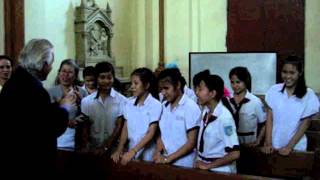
(262, 67)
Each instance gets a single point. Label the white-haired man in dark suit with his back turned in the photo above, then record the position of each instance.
(30, 124)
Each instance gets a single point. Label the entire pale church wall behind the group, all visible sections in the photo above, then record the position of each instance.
(190, 25)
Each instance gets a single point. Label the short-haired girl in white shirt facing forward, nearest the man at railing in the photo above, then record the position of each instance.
(104, 108)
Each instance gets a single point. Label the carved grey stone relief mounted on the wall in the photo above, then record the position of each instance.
(93, 34)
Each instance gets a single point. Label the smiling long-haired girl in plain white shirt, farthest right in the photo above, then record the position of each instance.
(290, 107)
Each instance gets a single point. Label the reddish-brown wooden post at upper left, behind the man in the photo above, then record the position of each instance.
(14, 27)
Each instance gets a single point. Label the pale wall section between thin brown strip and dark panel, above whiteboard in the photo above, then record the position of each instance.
(193, 25)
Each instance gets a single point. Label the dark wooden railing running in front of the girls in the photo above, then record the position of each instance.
(252, 165)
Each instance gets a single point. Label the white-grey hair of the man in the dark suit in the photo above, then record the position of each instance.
(35, 54)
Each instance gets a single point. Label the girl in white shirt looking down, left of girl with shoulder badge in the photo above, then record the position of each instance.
(179, 122)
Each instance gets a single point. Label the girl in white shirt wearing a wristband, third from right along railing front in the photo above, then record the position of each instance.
(142, 113)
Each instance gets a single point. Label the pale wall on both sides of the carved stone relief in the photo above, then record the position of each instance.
(54, 20)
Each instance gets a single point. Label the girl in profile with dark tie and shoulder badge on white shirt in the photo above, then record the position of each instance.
(218, 145)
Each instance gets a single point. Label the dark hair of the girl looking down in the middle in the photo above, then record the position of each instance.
(172, 76)
